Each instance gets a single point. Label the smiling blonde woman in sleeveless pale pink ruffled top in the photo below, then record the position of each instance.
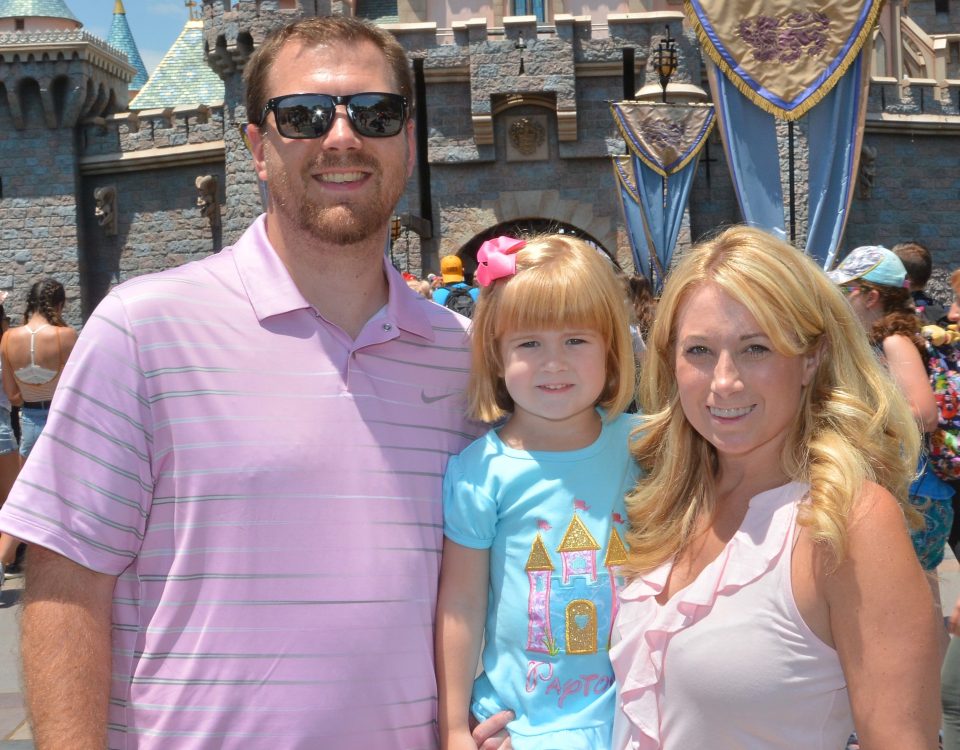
(775, 600)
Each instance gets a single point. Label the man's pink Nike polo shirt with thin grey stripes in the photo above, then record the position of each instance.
(268, 492)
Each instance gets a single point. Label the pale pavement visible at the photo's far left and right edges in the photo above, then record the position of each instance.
(15, 732)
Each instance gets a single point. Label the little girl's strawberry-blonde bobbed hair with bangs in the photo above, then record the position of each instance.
(560, 281)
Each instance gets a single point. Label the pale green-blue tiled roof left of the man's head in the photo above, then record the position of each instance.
(183, 78)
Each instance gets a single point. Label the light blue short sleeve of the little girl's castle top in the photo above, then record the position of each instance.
(469, 513)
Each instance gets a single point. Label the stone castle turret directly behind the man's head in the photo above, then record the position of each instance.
(232, 30)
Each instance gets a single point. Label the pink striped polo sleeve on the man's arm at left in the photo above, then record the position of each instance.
(86, 490)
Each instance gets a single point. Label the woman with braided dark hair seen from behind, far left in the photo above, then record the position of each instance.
(32, 359)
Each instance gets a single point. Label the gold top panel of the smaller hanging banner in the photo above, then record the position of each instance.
(665, 137)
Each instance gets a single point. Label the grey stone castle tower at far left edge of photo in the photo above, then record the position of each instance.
(52, 75)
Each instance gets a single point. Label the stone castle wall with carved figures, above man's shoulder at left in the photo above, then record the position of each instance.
(152, 161)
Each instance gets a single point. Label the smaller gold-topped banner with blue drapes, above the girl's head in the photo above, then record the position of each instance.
(665, 141)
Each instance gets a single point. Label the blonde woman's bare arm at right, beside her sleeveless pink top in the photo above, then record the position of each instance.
(885, 628)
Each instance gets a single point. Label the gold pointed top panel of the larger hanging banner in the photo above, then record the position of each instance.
(783, 55)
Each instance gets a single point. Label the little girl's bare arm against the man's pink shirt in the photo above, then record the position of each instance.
(461, 611)
